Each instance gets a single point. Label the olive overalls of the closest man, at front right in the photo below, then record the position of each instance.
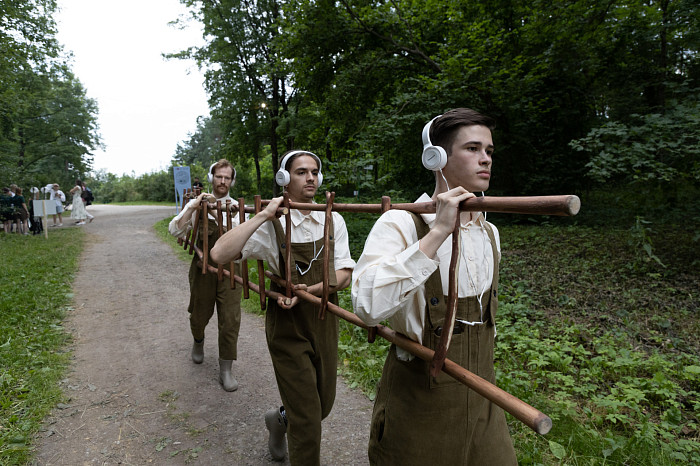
(418, 419)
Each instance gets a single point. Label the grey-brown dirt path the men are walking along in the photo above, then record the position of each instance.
(135, 395)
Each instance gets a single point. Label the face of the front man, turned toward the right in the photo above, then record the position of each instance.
(469, 164)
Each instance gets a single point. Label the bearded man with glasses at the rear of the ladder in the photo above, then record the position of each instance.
(206, 291)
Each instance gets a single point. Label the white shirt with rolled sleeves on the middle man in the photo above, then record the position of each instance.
(262, 245)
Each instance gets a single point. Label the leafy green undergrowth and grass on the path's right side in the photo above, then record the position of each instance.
(598, 327)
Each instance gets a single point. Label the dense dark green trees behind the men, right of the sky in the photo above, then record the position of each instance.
(355, 81)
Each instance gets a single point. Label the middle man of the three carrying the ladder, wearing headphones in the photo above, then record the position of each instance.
(303, 348)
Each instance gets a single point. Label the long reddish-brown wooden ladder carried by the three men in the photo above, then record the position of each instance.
(566, 205)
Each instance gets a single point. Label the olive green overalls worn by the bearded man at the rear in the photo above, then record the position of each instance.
(207, 290)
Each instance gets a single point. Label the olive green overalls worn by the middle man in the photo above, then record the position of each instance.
(304, 352)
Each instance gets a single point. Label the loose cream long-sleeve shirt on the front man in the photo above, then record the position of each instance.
(388, 282)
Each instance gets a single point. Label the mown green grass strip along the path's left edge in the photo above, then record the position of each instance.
(35, 292)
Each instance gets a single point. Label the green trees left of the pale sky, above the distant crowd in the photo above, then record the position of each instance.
(48, 126)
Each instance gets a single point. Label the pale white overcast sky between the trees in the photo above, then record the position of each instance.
(146, 104)
